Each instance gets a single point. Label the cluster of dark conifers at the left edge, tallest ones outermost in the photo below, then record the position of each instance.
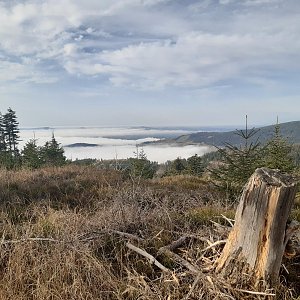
(32, 155)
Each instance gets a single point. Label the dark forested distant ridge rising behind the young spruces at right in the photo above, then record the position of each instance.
(290, 130)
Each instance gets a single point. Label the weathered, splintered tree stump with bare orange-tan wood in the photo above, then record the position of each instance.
(256, 244)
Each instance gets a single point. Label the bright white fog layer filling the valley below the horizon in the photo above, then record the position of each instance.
(113, 143)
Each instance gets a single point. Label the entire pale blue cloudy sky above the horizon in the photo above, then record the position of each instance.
(150, 62)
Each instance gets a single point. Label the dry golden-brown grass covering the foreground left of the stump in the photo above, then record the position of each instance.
(77, 212)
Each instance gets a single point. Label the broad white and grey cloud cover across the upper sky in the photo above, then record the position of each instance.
(133, 43)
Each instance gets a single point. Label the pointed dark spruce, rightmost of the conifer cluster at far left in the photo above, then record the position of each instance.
(52, 153)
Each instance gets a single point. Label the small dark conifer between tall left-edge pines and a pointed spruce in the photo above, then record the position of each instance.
(31, 155)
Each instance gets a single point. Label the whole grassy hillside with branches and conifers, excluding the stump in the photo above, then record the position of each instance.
(86, 229)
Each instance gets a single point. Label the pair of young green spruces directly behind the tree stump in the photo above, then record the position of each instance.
(238, 163)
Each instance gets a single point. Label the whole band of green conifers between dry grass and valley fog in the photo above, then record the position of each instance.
(229, 167)
